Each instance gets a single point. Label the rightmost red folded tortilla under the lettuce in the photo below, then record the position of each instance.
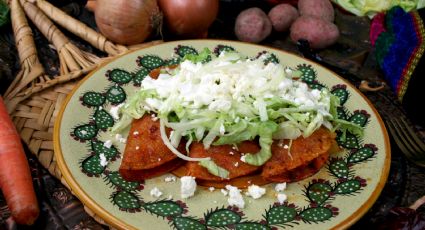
(306, 157)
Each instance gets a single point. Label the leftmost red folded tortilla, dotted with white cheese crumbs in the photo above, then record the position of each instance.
(145, 154)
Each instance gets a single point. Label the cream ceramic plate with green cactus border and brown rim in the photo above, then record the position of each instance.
(337, 196)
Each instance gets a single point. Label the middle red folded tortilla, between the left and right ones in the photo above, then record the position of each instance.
(224, 156)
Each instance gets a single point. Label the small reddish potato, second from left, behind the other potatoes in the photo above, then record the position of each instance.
(282, 16)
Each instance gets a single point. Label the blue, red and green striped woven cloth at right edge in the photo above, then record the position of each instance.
(399, 43)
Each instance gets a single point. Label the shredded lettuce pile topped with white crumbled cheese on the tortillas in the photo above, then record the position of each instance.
(230, 99)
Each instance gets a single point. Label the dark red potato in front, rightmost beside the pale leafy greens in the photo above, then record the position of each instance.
(320, 33)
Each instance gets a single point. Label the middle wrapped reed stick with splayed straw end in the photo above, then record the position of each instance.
(70, 56)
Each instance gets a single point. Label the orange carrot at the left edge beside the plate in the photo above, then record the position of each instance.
(15, 176)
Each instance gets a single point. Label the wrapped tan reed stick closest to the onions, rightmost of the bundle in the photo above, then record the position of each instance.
(80, 29)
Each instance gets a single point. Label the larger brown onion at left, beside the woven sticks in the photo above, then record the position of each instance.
(127, 22)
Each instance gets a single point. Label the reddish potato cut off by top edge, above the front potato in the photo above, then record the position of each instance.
(318, 8)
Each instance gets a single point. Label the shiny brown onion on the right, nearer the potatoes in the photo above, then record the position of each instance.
(189, 18)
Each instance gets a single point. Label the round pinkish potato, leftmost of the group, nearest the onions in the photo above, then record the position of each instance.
(252, 25)
